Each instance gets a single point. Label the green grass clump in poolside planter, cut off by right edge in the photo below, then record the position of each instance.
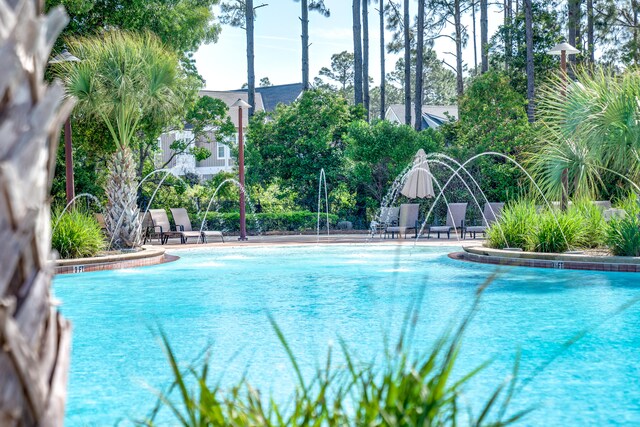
(623, 235)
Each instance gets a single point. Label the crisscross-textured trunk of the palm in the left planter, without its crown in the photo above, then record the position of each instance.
(121, 213)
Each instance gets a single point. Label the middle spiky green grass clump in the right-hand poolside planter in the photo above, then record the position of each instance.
(557, 232)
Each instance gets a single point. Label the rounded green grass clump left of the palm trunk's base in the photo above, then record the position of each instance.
(77, 235)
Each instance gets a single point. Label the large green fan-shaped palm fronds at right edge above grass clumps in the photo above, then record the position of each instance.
(590, 127)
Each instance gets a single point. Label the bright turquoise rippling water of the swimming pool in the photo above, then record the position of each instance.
(317, 294)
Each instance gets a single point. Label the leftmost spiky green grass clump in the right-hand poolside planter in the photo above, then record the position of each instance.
(514, 227)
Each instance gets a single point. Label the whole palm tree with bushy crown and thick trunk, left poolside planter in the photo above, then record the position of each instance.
(121, 78)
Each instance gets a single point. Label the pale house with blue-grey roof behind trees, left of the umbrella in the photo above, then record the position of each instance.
(267, 98)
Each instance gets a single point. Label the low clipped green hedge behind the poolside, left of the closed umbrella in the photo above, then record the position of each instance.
(263, 222)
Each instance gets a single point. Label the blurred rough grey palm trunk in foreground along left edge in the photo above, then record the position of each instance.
(35, 338)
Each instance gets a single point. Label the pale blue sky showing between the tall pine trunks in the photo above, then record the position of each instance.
(278, 45)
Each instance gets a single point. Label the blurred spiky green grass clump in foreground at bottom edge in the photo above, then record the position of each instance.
(407, 390)
